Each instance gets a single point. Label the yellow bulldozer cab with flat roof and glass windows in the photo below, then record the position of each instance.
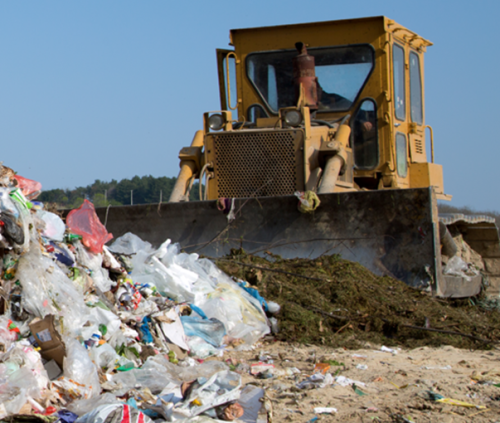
(370, 69)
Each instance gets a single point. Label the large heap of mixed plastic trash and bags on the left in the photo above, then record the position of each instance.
(95, 332)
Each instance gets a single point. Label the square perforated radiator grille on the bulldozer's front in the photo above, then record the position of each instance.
(256, 163)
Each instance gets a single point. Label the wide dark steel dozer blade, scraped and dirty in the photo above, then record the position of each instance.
(392, 232)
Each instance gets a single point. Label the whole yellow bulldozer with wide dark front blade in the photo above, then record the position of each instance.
(319, 147)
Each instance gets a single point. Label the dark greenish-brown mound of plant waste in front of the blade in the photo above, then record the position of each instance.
(333, 302)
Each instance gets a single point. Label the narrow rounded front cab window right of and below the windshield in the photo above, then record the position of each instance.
(364, 135)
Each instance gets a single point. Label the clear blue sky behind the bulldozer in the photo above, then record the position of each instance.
(114, 88)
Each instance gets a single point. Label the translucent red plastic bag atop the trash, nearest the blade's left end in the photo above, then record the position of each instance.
(84, 221)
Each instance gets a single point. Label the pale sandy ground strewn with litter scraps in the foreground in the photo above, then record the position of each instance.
(396, 386)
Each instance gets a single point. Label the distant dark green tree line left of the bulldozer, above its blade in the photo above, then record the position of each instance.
(140, 190)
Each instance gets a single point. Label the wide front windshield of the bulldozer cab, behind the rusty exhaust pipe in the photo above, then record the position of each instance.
(341, 72)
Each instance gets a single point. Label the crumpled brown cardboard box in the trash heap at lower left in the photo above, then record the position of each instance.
(49, 340)
